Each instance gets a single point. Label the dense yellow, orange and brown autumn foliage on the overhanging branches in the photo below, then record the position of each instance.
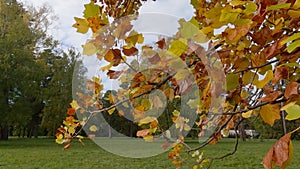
(251, 68)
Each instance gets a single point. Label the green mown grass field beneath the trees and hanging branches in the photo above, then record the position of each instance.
(44, 153)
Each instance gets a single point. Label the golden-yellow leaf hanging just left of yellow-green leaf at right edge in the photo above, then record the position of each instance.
(269, 113)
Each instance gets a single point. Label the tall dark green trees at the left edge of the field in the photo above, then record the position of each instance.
(36, 72)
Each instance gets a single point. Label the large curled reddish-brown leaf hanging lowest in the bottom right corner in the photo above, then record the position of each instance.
(279, 153)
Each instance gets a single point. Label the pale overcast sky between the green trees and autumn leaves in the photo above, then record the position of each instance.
(167, 12)
